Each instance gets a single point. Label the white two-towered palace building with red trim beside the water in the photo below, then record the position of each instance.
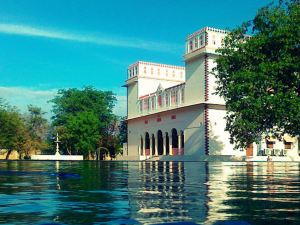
(174, 113)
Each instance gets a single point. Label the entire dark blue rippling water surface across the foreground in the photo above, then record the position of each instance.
(149, 192)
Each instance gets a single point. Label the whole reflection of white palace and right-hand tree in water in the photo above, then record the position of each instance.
(206, 193)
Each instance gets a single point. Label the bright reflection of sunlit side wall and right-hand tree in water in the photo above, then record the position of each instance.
(258, 193)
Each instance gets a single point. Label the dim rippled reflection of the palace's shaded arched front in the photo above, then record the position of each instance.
(168, 191)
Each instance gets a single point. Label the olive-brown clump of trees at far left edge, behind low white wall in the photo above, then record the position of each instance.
(24, 133)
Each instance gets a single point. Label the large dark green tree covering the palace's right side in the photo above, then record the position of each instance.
(259, 77)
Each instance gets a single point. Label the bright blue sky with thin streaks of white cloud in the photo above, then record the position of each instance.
(52, 44)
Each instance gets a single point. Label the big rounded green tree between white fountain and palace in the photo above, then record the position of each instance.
(81, 118)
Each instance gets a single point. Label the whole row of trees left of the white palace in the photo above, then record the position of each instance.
(83, 118)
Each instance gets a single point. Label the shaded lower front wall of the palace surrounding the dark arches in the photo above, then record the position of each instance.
(189, 119)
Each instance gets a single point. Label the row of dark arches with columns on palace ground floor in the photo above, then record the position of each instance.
(162, 143)
